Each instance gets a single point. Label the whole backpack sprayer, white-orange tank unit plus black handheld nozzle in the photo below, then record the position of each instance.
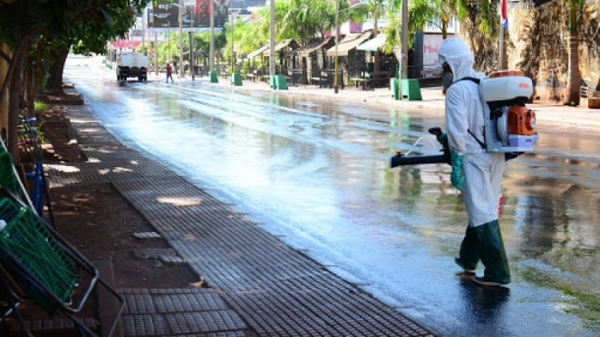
(509, 126)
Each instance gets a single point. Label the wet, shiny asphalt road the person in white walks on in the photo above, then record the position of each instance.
(317, 172)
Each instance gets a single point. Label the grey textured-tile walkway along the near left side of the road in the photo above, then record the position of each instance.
(257, 283)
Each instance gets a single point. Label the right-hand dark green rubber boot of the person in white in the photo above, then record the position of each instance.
(493, 255)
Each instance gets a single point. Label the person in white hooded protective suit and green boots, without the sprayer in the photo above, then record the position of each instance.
(477, 173)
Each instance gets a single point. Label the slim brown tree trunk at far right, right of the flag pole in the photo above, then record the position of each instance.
(574, 73)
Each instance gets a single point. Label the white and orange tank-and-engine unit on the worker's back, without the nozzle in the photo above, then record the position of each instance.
(509, 124)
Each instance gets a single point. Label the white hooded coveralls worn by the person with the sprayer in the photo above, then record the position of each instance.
(464, 111)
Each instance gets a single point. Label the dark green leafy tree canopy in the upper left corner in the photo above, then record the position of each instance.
(34, 32)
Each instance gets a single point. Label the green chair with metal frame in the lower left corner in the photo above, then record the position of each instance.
(41, 267)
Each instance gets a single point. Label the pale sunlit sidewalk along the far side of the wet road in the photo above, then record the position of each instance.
(432, 101)
